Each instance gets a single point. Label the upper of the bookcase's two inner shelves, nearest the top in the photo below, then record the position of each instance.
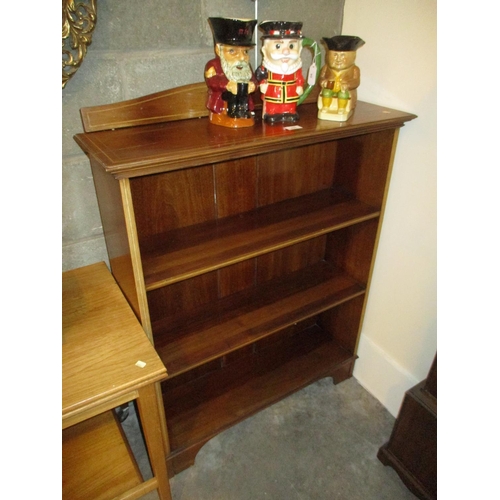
(195, 250)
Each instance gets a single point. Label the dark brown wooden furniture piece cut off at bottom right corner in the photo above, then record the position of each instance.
(412, 448)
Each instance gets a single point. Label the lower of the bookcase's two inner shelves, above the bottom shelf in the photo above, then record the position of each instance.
(245, 317)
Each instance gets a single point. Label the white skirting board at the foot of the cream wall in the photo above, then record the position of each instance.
(381, 376)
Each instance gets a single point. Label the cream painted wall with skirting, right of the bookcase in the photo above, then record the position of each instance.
(398, 70)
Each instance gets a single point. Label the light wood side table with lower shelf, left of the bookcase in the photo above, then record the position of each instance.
(107, 361)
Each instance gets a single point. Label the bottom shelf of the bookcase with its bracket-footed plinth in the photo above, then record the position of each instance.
(231, 394)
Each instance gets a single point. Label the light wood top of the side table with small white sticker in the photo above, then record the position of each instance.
(105, 352)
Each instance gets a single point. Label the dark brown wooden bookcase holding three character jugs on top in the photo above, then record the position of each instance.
(246, 254)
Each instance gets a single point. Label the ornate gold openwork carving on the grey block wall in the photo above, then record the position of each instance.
(78, 23)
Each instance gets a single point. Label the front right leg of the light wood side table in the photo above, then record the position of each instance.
(152, 427)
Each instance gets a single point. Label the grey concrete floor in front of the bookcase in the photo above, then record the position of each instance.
(320, 443)
